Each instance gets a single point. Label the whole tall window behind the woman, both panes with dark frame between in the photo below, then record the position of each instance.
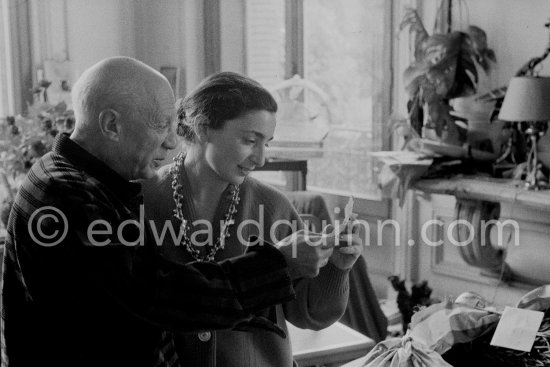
(342, 47)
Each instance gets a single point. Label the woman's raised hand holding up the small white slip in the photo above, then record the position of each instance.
(349, 246)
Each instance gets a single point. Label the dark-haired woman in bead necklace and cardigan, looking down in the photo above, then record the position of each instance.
(209, 200)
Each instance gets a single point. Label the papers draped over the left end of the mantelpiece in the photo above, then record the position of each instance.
(397, 170)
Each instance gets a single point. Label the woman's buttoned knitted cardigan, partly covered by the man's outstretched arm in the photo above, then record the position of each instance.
(319, 302)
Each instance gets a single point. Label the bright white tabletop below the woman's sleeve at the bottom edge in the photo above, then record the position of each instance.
(334, 345)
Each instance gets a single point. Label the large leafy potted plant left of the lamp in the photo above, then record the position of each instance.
(445, 66)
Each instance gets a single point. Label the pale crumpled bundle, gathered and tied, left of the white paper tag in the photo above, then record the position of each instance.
(433, 331)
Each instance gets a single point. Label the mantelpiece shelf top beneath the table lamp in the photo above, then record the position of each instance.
(487, 189)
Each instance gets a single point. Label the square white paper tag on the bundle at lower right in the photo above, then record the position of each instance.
(517, 329)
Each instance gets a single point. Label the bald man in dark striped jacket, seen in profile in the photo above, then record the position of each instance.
(83, 282)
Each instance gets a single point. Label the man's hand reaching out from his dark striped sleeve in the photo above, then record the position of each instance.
(306, 252)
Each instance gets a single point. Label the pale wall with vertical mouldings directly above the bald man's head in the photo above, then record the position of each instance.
(159, 33)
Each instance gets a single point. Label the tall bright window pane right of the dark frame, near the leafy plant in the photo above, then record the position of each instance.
(344, 55)
